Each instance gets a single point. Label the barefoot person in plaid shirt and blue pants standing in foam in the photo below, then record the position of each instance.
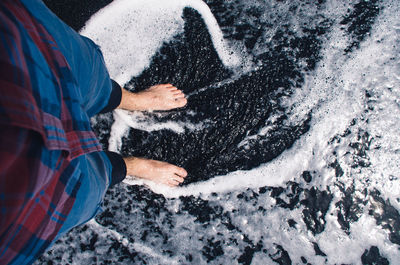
(53, 173)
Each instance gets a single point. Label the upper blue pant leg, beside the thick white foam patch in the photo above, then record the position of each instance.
(83, 56)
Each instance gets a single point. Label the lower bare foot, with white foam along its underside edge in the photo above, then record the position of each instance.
(157, 171)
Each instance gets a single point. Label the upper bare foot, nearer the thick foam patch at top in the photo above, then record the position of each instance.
(158, 97)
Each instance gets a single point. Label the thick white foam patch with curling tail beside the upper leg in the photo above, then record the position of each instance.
(131, 31)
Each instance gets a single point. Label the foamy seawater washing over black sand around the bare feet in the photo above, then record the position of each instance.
(290, 135)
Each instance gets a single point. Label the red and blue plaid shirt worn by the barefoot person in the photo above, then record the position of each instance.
(43, 128)
